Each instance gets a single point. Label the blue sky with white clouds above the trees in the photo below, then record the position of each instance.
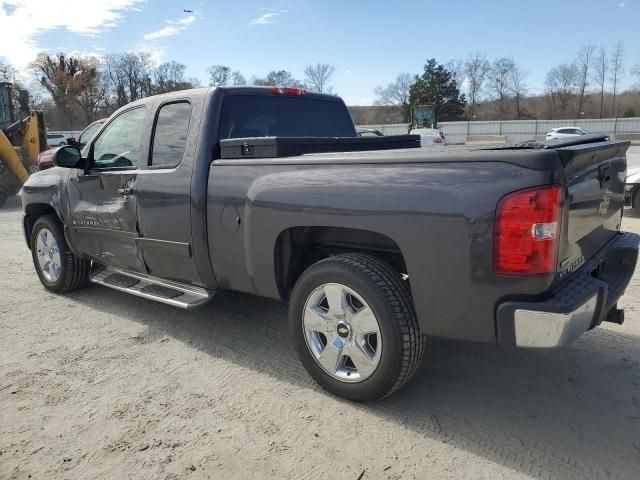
(368, 42)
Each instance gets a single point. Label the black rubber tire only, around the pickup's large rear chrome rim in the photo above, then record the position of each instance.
(388, 296)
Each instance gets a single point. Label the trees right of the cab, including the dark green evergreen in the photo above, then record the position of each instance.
(586, 87)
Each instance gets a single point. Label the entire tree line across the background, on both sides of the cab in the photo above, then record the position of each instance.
(75, 90)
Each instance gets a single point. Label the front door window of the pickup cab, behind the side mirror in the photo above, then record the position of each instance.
(120, 143)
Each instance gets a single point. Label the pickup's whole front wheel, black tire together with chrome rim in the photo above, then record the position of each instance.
(57, 267)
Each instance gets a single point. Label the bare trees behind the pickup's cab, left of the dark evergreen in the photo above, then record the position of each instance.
(76, 90)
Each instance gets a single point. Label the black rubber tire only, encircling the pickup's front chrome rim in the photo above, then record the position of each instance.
(74, 271)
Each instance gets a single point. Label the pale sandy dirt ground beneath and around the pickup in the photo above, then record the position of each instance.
(98, 384)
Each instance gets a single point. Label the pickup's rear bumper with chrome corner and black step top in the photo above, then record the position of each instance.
(576, 305)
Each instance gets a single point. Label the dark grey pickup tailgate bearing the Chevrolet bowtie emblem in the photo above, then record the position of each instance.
(595, 178)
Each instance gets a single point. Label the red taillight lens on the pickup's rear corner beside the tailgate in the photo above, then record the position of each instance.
(527, 227)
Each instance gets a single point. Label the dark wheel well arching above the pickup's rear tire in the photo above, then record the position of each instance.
(299, 247)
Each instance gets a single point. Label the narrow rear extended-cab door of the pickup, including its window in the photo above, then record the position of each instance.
(164, 192)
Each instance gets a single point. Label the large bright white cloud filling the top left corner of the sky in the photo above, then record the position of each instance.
(22, 21)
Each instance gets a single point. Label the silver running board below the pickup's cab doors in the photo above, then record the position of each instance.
(164, 291)
